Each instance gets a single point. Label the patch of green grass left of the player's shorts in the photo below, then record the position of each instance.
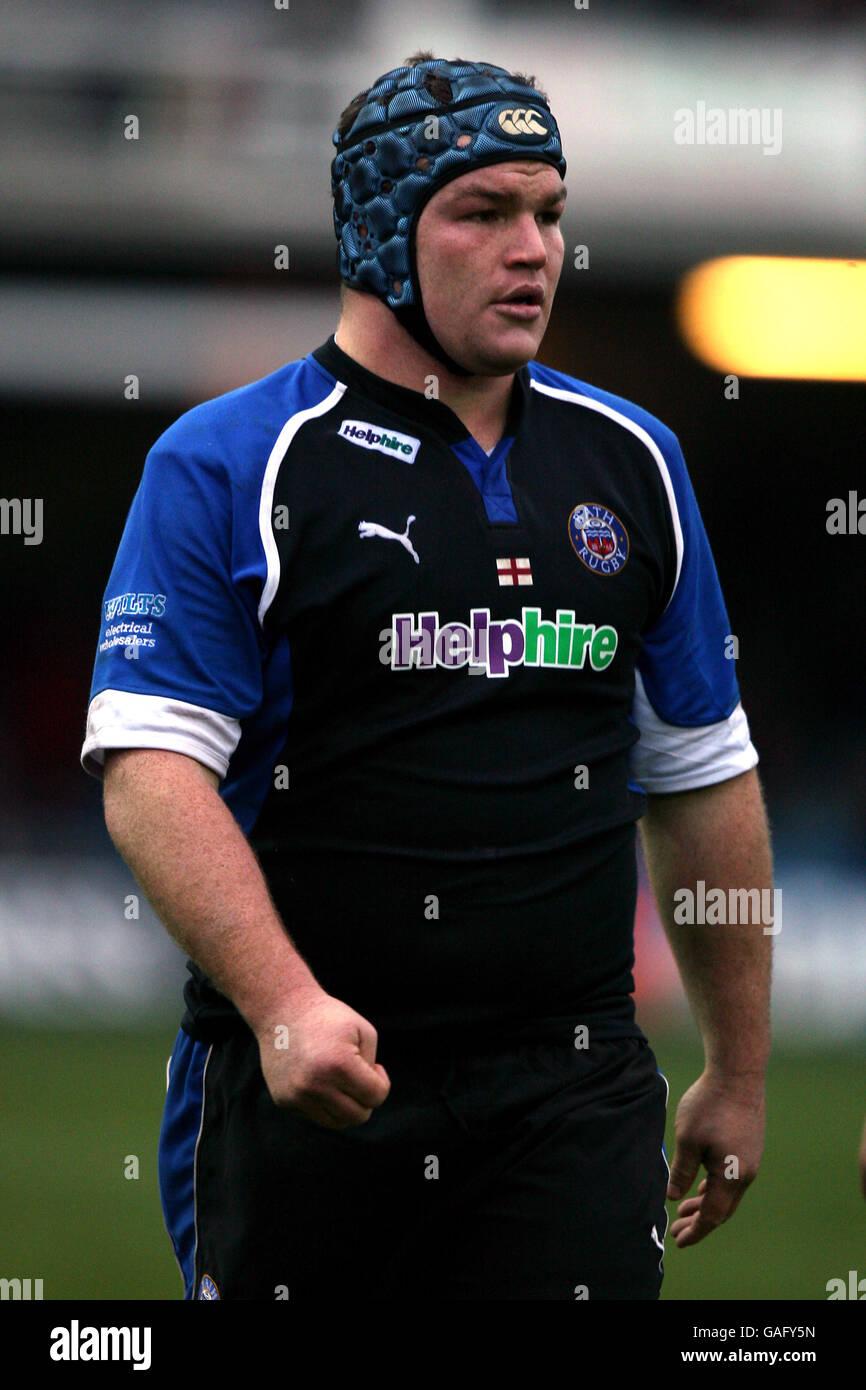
(74, 1107)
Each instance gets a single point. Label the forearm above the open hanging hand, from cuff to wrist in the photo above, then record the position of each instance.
(718, 836)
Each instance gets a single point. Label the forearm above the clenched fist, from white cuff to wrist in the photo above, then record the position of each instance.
(197, 868)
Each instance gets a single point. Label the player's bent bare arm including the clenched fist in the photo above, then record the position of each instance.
(197, 868)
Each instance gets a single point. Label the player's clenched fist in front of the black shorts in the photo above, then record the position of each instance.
(322, 1061)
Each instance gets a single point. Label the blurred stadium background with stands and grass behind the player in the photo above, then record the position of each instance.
(155, 258)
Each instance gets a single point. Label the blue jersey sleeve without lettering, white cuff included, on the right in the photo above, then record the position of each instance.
(687, 708)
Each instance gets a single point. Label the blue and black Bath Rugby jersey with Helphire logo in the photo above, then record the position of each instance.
(437, 683)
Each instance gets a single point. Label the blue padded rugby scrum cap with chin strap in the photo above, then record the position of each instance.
(395, 158)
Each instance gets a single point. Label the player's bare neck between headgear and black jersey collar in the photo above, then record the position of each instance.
(386, 348)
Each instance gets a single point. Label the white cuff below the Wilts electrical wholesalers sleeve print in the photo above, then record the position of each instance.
(123, 719)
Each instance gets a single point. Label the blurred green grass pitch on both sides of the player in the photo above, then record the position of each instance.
(77, 1104)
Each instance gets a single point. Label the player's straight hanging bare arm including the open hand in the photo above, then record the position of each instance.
(718, 835)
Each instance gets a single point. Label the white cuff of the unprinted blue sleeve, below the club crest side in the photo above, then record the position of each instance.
(669, 758)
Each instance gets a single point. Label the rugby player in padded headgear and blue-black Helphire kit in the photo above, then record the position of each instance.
(402, 612)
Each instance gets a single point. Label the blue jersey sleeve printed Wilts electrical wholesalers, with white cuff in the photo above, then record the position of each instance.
(180, 658)
